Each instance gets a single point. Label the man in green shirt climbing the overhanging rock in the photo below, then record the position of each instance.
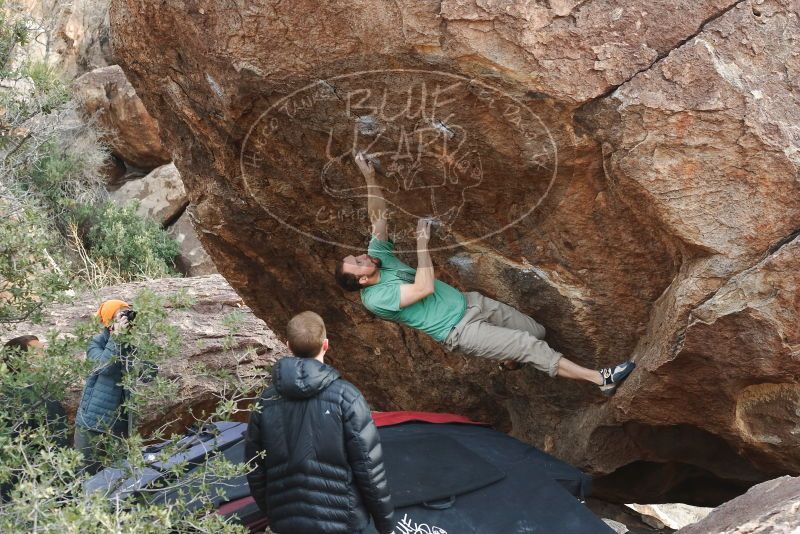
(468, 322)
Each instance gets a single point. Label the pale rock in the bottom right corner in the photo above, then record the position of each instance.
(768, 508)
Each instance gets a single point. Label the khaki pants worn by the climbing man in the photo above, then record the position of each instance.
(491, 329)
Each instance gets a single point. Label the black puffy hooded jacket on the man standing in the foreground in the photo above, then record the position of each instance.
(323, 470)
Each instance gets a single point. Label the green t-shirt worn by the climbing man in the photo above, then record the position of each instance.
(435, 315)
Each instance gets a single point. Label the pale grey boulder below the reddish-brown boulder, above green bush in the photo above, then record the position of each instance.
(161, 194)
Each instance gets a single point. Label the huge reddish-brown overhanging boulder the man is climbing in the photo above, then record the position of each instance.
(625, 173)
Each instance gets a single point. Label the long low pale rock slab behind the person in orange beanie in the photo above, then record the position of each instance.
(202, 329)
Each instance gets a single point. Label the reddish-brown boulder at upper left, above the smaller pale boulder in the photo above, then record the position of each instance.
(106, 96)
